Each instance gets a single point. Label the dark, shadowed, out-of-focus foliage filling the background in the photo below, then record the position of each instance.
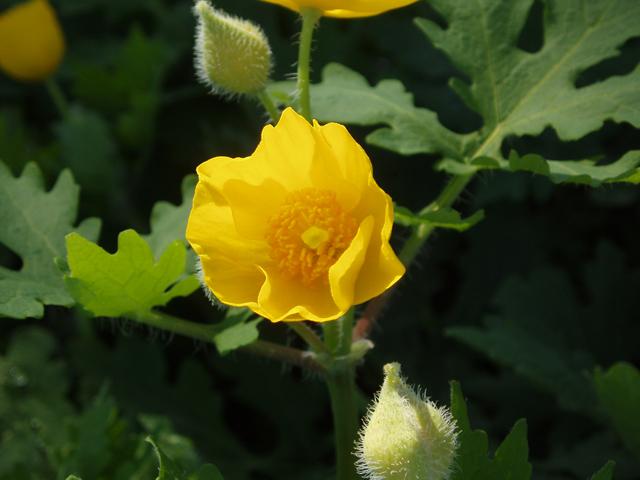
(555, 268)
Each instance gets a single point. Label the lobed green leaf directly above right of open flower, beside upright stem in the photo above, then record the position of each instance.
(346, 97)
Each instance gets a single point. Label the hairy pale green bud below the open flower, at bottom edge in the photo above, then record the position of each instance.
(405, 436)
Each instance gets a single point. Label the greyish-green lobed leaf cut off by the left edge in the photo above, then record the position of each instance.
(34, 224)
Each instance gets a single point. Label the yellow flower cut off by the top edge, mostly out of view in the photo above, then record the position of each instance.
(345, 8)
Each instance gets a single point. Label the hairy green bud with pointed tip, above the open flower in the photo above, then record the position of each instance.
(232, 55)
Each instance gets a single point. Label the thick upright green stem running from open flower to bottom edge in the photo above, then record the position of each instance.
(340, 378)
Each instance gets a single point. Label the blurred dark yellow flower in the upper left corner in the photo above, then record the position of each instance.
(31, 41)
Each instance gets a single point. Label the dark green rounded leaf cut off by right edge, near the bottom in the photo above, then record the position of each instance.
(619, 393)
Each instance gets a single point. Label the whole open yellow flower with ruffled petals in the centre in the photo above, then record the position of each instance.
(298, 230)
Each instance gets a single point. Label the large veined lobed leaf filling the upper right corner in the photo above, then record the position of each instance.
(522, 93)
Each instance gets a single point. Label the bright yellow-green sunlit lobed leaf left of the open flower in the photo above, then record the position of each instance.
(128, 282)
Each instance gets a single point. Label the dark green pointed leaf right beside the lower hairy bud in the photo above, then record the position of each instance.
(510, 461)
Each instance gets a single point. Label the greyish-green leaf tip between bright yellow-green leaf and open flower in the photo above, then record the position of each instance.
(168, 221)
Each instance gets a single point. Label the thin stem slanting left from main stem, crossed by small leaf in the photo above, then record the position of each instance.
(207, 333)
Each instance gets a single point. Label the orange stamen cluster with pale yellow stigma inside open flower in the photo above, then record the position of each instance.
(309, 234)
